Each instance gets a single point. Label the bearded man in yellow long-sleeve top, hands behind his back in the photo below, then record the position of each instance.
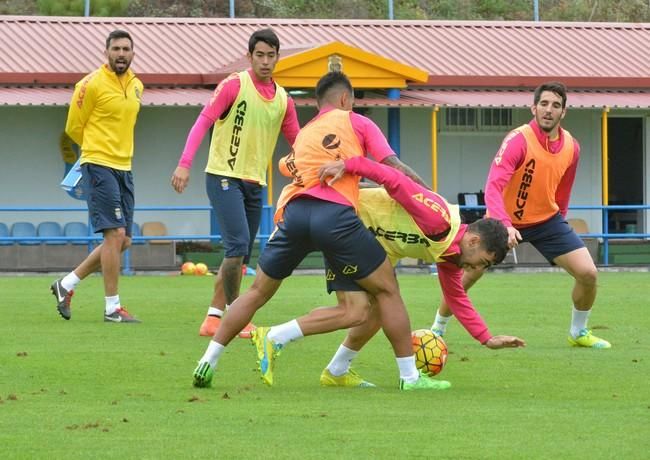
(101, 120)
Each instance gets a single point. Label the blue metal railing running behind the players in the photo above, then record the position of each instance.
(266, 226)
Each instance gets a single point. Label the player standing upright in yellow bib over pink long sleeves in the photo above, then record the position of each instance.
(248, 110)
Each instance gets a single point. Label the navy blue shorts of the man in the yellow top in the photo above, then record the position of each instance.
(110, 197)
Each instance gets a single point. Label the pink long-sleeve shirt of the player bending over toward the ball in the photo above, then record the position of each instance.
(431, 222)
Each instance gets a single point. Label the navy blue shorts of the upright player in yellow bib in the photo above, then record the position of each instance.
(238, 207)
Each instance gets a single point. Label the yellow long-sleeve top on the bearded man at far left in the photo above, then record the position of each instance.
(102, 116)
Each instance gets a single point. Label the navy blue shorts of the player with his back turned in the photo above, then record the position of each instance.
(311, 225)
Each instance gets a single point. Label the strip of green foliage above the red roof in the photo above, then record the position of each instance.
(517, 10)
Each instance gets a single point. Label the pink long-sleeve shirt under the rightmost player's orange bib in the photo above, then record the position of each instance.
(510, 157)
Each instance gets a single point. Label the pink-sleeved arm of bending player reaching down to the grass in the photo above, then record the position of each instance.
(450, 278)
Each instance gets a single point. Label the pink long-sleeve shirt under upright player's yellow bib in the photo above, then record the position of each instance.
(222, 99)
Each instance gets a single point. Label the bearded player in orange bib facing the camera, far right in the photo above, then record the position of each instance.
(528, 189)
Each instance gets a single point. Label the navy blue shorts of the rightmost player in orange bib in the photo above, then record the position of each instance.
(552, 238)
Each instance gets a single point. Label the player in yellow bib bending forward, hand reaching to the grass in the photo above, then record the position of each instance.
(410, 220)
